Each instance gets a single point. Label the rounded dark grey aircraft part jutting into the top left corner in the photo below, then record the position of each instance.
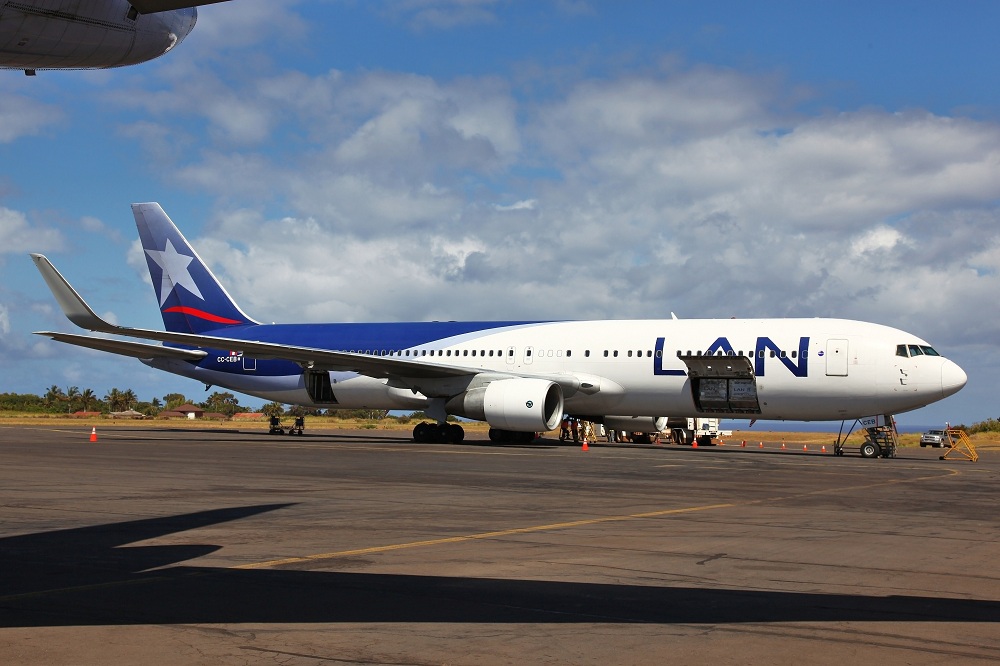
(91, 34)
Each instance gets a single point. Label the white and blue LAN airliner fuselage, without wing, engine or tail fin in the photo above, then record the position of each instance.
(803, 369)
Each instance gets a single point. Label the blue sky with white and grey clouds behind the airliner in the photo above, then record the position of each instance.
(435, 159)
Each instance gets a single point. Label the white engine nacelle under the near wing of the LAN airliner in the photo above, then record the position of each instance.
(520, 404)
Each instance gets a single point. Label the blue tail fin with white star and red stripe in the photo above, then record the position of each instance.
(191, 298)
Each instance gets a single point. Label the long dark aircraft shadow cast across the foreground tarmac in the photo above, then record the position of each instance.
(89, 576)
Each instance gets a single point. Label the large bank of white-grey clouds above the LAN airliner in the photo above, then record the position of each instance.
(672, 191)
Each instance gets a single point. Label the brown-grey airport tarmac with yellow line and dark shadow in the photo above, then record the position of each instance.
(186, 546)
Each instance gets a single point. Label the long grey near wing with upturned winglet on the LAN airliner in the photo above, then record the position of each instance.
(81, 314)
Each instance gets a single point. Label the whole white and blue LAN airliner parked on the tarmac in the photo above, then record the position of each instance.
(522, 376)
